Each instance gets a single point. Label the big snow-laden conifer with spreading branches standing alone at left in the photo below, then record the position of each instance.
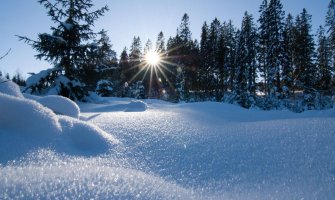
(66, 47)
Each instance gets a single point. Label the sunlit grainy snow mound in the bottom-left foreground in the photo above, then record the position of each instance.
(49, 176)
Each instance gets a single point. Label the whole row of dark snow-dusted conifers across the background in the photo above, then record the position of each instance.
(270, 63)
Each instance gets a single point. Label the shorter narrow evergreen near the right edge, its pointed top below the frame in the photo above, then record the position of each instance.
(324, 62)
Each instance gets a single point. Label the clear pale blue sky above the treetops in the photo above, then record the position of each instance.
(126, 19)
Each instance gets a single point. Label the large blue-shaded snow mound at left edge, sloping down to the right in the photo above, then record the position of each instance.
(26, 125)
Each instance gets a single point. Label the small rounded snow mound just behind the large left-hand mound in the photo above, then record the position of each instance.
(60, 105)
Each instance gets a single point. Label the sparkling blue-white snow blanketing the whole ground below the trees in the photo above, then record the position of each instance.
(158, 150)
